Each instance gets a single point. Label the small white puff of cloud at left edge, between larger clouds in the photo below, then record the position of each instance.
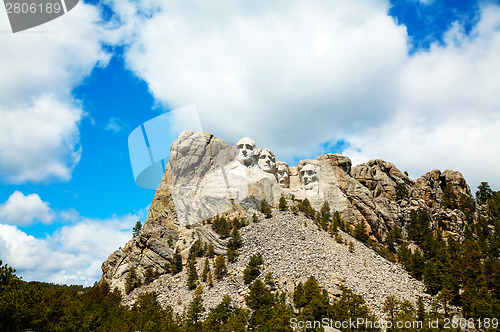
(24, 210)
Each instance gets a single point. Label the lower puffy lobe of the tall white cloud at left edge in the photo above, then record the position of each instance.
(39, 142)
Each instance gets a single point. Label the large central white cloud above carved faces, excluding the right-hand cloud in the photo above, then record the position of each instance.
(288, 74)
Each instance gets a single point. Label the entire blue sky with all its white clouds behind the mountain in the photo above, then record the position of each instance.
(412, 82)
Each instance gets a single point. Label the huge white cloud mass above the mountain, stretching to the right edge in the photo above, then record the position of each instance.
(293, 75)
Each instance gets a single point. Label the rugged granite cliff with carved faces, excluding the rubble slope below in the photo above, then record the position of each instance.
(205, 177)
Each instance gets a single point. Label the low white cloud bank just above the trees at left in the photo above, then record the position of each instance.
(72, 255)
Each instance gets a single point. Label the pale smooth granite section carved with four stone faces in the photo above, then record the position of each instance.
(242, 173)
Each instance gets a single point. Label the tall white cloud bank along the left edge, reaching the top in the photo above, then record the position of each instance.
(39, 136)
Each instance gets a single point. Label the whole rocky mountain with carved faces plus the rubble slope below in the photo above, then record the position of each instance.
(205, 177)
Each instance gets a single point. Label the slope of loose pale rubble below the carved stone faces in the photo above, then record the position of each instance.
(293, 249)
